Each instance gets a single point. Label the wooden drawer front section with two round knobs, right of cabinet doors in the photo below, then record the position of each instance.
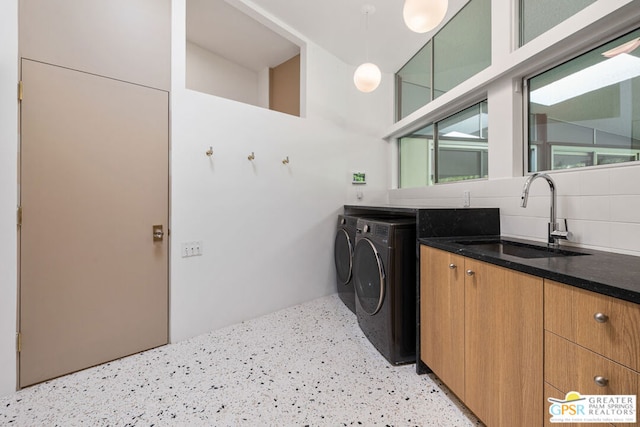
(592, 343)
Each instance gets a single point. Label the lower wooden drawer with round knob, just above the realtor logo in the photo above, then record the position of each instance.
(569, 367)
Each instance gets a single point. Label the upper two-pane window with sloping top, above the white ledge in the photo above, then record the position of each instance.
(459, 50)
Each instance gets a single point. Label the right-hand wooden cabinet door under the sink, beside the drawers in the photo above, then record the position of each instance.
(504, 345)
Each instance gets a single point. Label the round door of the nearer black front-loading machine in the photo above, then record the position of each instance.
(369, 276)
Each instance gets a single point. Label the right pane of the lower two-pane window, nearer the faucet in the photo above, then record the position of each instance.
(462, 147)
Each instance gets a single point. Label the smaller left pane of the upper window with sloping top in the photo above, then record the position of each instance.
(413, 83)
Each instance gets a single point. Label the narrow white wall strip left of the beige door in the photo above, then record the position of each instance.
(8, 193)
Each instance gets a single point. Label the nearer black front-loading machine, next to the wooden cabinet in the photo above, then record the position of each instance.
(384, 275)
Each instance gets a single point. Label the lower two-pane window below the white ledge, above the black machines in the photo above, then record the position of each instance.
(453, 149)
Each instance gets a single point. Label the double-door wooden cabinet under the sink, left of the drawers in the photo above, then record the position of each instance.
(502, 332)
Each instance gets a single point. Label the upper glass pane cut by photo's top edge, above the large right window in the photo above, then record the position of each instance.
(538, 16)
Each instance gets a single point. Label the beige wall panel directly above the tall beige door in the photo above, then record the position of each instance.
(121, 39)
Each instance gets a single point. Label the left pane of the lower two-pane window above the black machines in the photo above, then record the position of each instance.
(416, 158)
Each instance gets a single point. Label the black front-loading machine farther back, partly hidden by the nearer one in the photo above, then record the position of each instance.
(344, 245)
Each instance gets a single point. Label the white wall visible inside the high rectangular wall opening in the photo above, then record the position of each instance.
(210, 73)
